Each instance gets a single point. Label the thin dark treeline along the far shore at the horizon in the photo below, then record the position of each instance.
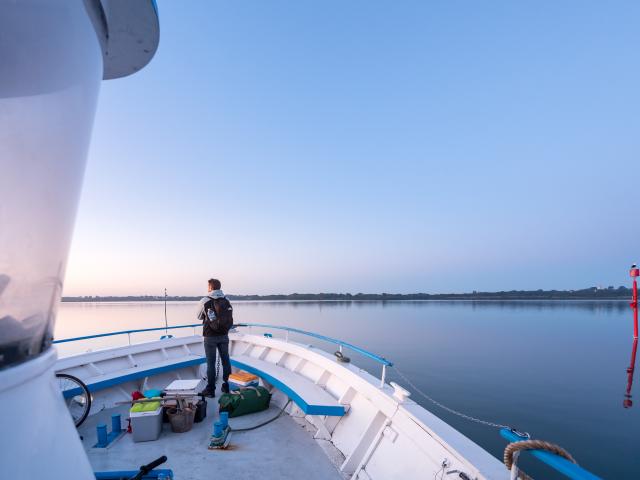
(593, 293)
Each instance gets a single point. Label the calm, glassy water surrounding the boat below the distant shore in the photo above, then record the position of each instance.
(554, 369)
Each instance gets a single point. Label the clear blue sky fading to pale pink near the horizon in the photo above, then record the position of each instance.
(441, 146)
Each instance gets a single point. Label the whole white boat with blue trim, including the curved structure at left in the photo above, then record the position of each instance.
(328, 418)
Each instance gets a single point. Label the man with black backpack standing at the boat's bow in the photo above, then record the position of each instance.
(216, 314)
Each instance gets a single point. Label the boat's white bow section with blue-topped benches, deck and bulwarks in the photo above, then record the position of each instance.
(343, 421)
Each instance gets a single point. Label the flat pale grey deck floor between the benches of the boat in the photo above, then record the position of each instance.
(281, 449)
